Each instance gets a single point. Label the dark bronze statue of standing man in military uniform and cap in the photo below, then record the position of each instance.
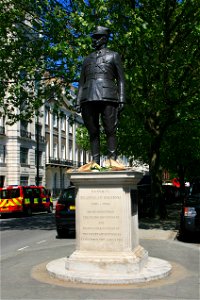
(101, 93)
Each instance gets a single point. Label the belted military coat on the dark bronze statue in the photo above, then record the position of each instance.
(102, 78)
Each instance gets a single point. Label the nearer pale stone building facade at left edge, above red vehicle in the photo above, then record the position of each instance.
(18, 152)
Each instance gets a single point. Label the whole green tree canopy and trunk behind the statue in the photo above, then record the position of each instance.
(159, 45)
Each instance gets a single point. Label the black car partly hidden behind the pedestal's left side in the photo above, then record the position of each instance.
(65, 212)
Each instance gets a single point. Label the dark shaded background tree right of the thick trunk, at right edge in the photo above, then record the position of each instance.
(180, 151)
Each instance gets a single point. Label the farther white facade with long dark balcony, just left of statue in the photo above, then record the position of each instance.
(62, 151)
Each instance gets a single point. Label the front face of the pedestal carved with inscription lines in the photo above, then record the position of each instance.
(100, 213)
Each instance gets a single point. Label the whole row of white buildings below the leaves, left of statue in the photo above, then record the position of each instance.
(41, 151)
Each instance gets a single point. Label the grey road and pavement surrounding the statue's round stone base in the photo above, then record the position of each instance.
(28, 244)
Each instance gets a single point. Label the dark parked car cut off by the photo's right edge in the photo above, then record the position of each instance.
(190, 213)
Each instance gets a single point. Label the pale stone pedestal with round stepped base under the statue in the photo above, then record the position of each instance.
(107, 241)
